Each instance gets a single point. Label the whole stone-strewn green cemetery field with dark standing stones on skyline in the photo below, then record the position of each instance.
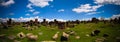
(57, 31)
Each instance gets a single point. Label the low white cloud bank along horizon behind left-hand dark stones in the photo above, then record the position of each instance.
(22, 19)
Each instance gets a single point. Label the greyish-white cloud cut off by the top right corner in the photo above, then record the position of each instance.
(116, 2)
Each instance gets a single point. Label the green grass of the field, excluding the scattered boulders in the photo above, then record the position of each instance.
(113, 30)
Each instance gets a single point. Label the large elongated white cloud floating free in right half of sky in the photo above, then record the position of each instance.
(86, 8)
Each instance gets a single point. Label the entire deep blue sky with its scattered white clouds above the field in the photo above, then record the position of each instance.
(59, 9)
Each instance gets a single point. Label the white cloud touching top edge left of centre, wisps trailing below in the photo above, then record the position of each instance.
(38, 3)
